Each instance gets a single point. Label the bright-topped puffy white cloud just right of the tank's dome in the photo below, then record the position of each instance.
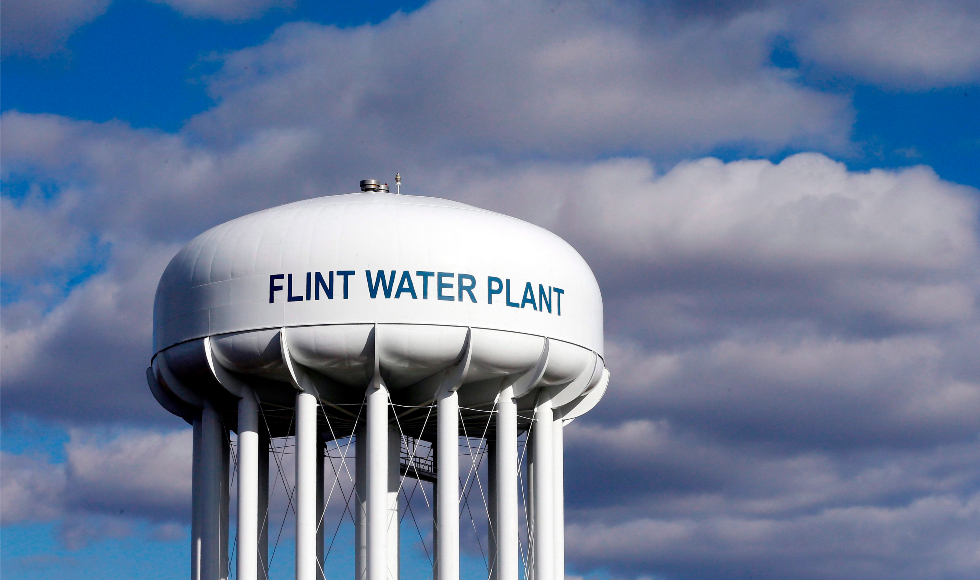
(804, 213)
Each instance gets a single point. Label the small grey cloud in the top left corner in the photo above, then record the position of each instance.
(41, 28)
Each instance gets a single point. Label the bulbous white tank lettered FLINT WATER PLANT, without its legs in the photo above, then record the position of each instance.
(323, 290)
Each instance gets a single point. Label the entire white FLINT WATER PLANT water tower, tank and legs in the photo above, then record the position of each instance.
(380, 318)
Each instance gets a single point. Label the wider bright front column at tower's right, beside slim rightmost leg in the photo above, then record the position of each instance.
(542, 484)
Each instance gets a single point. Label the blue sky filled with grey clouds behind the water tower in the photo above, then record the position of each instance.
(779, 200)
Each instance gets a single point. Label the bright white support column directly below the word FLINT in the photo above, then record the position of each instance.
(305, 497)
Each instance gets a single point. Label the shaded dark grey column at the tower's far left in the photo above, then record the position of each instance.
(209, 560)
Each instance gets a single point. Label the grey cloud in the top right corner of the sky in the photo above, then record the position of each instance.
(898, 44)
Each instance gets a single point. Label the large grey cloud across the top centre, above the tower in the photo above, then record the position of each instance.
(567, 80)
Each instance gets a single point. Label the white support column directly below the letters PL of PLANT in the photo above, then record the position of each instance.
(507, 514)
